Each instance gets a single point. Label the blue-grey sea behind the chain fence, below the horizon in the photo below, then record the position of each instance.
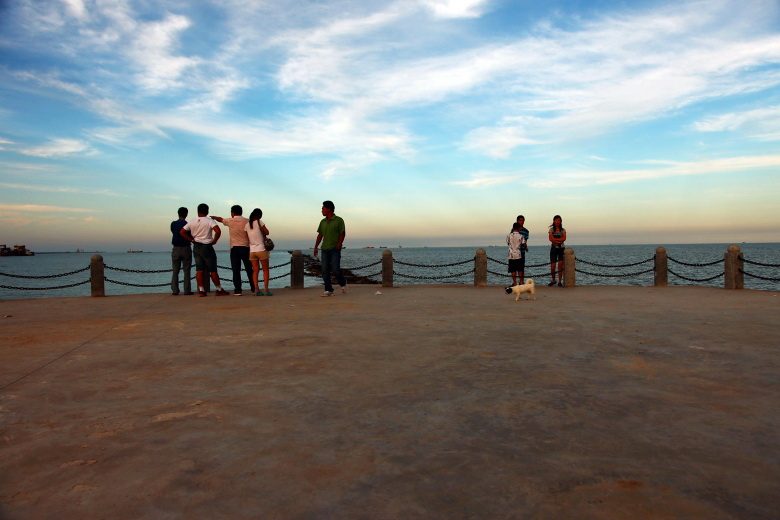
(39, 276)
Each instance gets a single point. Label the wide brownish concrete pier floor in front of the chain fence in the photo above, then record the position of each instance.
(387, 403)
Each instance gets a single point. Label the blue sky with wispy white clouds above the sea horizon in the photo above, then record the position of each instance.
(426, 122)
